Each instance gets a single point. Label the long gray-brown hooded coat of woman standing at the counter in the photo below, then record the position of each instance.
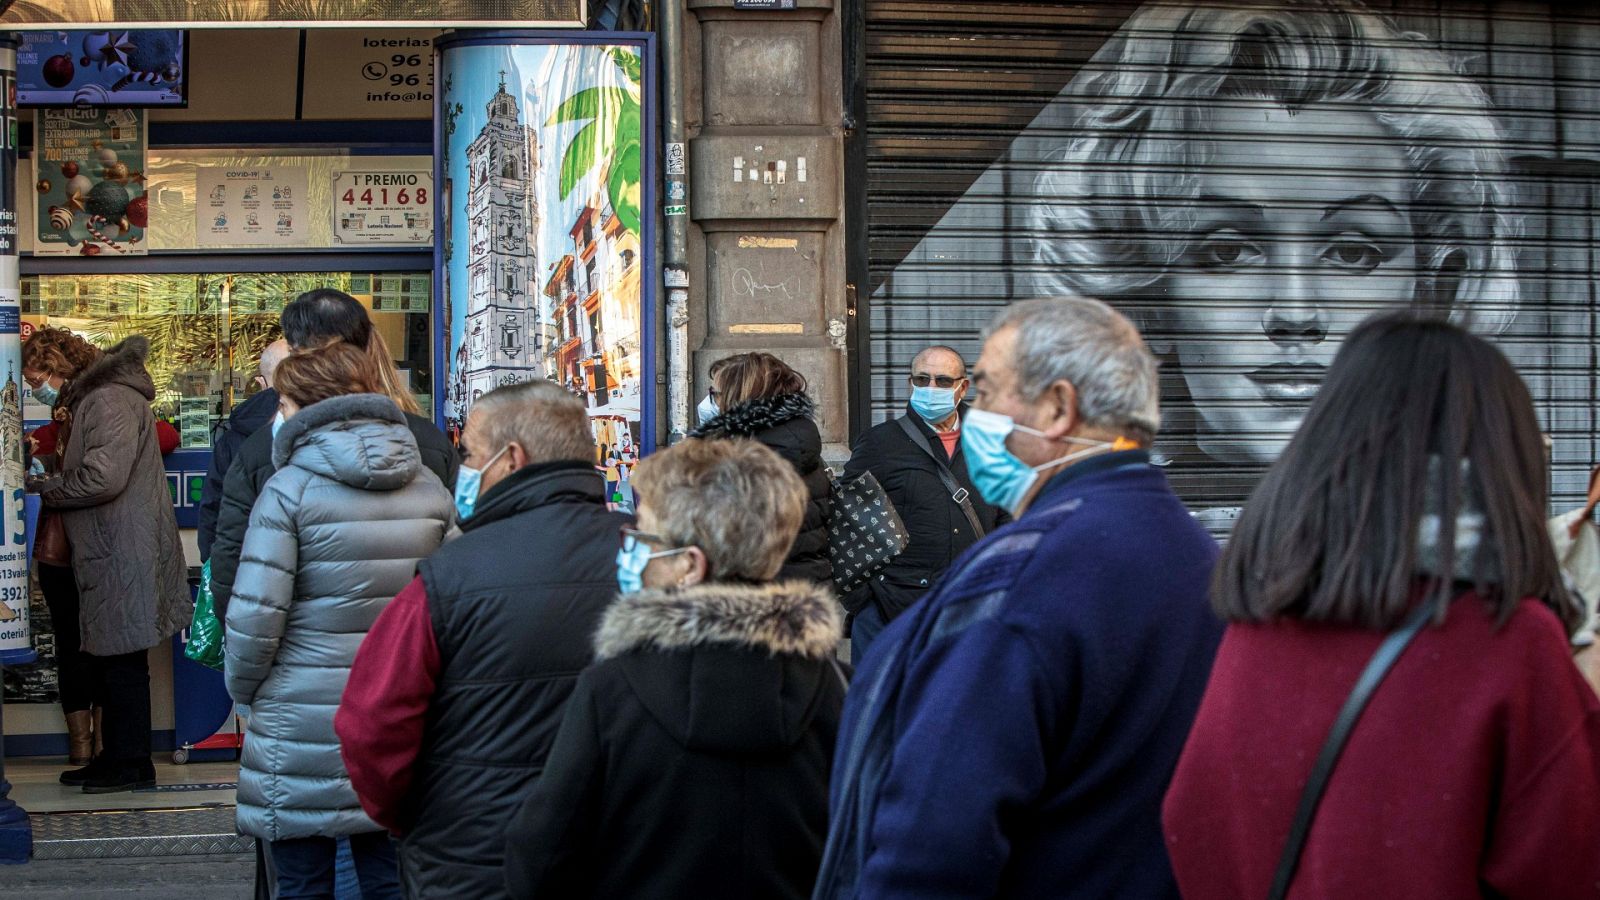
(134, 587)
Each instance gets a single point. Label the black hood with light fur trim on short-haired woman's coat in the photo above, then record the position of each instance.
(727, 669)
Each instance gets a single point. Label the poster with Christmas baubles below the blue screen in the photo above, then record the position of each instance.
(90, 183)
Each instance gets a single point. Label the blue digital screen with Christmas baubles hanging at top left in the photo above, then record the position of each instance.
(103, 68)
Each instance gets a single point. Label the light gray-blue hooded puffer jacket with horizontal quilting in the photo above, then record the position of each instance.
(334, 537)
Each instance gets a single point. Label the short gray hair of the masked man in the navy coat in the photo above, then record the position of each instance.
(1094, 347)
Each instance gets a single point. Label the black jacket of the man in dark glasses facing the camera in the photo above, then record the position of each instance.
(935, 523)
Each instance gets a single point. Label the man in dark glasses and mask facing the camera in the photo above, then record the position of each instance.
(919, 462)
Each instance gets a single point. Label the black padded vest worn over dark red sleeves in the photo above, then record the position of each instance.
(514, 603)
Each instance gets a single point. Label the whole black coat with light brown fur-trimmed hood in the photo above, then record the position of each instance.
(695, 755)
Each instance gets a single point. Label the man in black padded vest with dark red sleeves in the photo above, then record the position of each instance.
(458, 691)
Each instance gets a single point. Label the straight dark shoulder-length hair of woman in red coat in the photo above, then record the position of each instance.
(1332, 531)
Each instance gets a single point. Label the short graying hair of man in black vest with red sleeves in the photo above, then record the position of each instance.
(545, 419)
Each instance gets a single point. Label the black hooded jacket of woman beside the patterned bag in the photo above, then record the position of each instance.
(785, 424)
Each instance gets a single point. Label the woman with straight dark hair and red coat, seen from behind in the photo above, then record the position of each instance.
(1415, 486)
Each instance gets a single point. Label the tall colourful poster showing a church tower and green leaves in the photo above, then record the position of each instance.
(543, 231)
